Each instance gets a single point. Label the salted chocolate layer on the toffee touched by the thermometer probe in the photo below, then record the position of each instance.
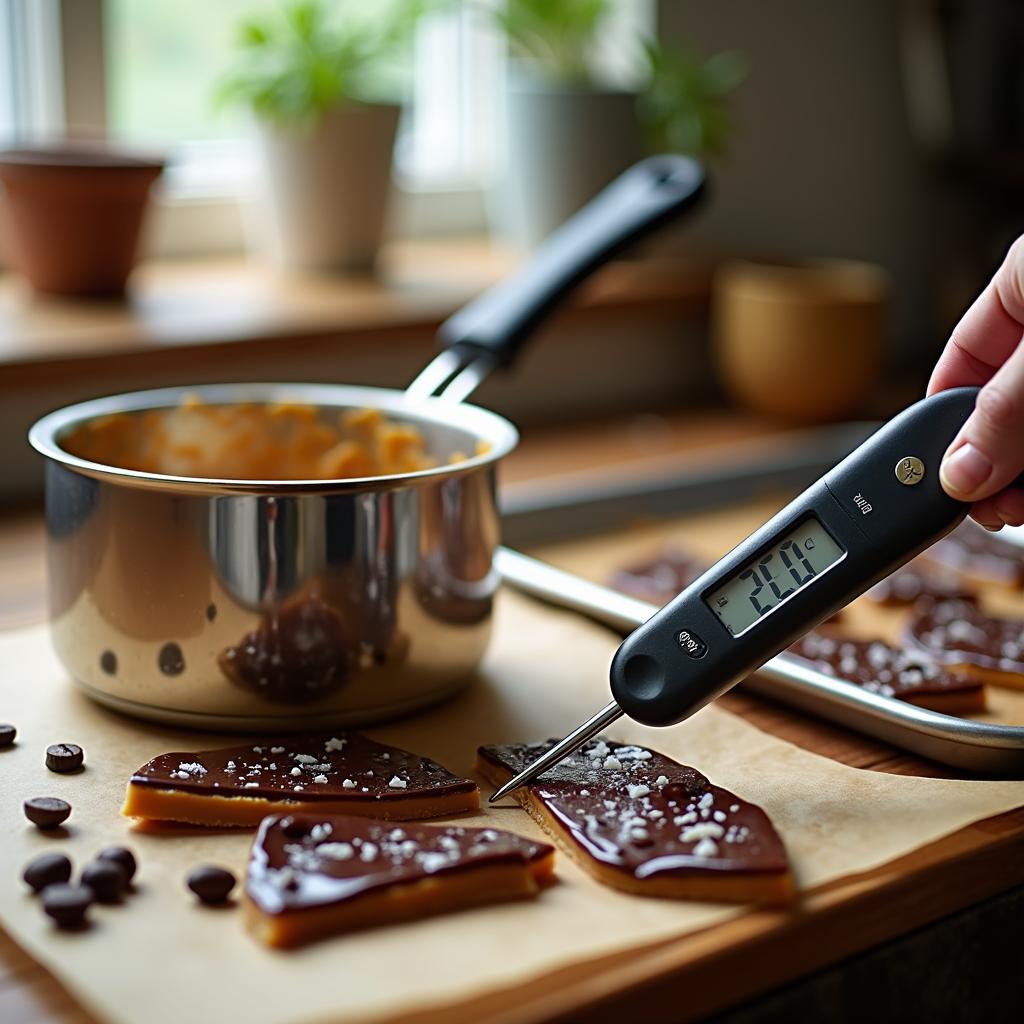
(644, 815)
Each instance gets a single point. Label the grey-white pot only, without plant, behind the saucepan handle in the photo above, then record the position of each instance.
(565, 146)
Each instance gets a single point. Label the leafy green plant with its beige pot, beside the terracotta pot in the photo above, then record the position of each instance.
(314, 75)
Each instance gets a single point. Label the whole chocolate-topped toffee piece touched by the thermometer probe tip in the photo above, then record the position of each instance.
(639, 822)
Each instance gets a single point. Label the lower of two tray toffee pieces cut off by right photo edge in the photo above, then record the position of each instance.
(966, 642)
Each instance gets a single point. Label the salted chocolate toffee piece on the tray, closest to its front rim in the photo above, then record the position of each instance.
(891, 672)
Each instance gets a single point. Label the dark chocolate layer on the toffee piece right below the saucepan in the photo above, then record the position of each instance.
(313, 767)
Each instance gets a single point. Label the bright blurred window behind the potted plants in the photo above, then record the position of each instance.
(145, 72)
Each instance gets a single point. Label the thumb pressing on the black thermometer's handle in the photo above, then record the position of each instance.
(989, 452)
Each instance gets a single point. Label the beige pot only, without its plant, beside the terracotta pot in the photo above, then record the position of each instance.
(328, 188)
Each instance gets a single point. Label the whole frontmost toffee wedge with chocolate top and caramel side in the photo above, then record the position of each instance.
(314, 876)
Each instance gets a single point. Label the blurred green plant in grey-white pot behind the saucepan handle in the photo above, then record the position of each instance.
(570, 132)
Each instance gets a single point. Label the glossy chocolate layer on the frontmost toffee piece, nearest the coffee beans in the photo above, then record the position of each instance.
(304, 863)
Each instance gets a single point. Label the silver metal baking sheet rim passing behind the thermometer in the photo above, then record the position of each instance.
(979, 747)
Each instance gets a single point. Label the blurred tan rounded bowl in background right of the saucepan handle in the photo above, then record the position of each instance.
(800, 343)
